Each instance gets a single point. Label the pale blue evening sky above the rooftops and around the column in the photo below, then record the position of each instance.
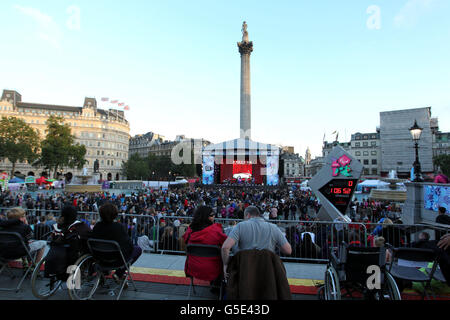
(317, 66)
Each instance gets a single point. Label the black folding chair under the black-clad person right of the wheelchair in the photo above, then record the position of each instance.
(108, 257)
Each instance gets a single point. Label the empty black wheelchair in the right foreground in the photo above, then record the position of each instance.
(358, 272)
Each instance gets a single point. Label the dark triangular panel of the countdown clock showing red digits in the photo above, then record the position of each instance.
(339, 192)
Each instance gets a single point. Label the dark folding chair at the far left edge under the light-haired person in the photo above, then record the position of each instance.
(9, 240)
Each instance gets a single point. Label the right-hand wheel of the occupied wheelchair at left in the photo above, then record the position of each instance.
(85, 279)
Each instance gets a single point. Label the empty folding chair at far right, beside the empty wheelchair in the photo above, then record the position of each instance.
(406, 263)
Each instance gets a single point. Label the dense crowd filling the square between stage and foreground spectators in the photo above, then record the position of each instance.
(167, 214)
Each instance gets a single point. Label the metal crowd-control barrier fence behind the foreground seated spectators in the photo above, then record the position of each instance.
(311, 241)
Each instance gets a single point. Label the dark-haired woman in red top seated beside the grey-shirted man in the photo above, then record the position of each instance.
(203, 230)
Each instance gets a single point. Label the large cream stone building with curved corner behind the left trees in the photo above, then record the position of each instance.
(104, 133)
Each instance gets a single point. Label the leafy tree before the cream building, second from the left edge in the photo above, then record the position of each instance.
(59, 149)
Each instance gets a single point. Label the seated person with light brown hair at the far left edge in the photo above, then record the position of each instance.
(17, 222)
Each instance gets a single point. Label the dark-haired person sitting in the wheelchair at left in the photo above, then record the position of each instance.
(68, 241)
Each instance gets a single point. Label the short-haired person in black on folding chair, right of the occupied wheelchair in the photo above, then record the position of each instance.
(108, 229)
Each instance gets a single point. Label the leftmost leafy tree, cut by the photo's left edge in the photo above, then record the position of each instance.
(18, 141)
